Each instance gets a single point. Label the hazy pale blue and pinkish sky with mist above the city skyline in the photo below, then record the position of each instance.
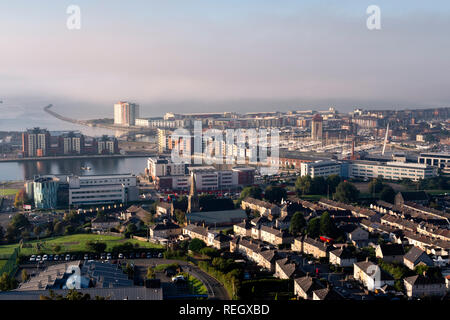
(205, 56)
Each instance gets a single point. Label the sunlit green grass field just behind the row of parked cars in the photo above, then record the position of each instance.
(72, 243)
